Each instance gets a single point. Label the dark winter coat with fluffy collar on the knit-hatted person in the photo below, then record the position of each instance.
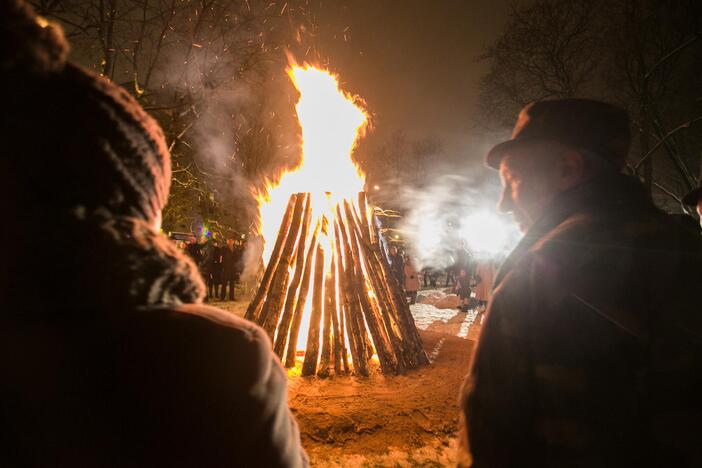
(116, 363)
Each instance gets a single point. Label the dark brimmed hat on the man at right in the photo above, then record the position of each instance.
(584, 124)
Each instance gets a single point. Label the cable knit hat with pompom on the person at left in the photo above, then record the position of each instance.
(73, 140)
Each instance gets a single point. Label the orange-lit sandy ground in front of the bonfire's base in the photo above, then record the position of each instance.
(406, 420)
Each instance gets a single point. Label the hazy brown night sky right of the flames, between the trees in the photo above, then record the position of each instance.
(414, 62)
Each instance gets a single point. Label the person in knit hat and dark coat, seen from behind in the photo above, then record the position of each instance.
(108, 355)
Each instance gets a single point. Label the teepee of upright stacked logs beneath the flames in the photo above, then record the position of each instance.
(357, 309)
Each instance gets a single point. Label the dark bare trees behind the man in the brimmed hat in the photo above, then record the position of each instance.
(643, 54)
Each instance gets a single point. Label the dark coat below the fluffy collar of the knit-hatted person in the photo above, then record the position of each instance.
(168, 386)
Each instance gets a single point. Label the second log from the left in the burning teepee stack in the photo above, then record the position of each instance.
(273, 305)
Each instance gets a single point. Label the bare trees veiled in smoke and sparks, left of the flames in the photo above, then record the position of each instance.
(203, 68)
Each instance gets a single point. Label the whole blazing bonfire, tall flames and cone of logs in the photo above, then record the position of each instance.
(327, 296)
